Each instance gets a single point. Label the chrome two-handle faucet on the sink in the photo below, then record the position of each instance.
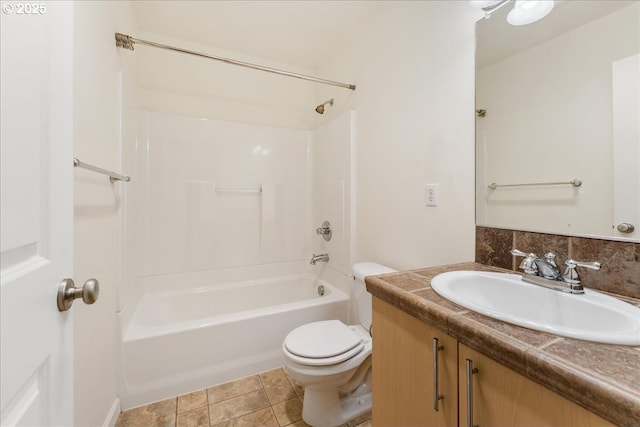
(545, 272)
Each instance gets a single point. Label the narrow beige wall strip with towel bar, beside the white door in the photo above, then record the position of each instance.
(99, 71)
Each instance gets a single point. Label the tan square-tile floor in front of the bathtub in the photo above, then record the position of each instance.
(269, 399)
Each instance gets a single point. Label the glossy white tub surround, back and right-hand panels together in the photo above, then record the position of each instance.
(213, 195)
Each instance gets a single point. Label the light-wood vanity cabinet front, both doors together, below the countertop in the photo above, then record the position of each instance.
(403, 382)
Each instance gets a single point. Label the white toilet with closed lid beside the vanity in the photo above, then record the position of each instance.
(333, 360)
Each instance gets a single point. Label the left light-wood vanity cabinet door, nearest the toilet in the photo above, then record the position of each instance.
(403, 371)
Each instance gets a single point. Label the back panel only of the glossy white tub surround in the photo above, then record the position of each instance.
(213, 195)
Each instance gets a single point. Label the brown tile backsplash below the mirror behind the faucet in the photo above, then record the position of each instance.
(620, 272)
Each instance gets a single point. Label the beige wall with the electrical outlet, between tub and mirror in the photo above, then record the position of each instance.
(413, 64)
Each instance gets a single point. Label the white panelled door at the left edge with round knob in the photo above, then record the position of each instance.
(36, 210)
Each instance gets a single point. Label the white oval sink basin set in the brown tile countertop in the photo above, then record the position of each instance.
(591, 316)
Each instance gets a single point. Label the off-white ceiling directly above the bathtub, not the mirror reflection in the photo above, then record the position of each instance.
(302, 33)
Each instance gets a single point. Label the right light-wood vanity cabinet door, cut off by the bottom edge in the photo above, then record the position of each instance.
(502, 397)
